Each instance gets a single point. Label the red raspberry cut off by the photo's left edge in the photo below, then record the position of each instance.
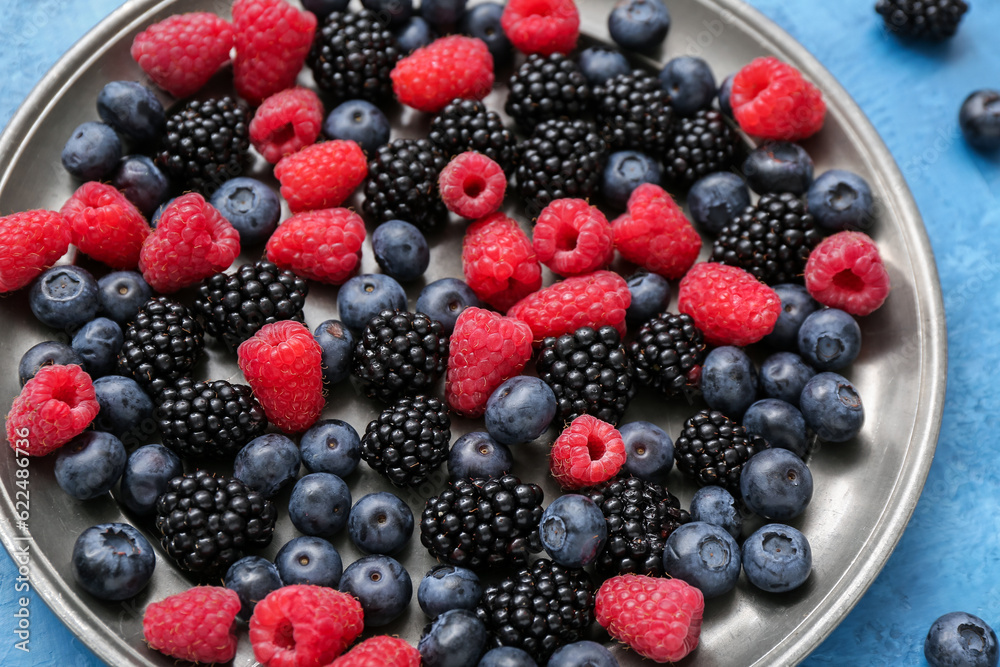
(30, 242)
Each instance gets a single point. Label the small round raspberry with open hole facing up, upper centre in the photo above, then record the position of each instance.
(472, 185)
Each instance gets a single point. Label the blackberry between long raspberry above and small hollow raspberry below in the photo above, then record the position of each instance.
(589, 372)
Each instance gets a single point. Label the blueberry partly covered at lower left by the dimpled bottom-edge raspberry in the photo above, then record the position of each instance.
(381, 585)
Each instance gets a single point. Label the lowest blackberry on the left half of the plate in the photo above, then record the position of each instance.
(207, 521)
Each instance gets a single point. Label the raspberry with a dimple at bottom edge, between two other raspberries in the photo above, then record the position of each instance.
(304, 626)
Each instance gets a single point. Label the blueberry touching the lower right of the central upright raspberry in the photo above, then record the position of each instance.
(520, 410)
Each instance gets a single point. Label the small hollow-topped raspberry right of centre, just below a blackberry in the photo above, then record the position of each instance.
(588, 452)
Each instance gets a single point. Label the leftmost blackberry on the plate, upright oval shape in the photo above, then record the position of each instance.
(161, 344)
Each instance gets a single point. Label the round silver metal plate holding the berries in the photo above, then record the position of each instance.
(865, 490)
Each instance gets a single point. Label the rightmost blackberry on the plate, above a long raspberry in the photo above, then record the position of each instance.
(771, 240)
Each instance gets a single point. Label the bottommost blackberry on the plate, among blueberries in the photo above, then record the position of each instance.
(539, 609)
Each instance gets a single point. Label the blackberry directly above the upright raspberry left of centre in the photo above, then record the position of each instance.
(234, 306)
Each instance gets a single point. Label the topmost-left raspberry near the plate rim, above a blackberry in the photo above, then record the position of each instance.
(181, 53)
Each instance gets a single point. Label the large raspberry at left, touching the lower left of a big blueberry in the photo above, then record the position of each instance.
(191, 242)
